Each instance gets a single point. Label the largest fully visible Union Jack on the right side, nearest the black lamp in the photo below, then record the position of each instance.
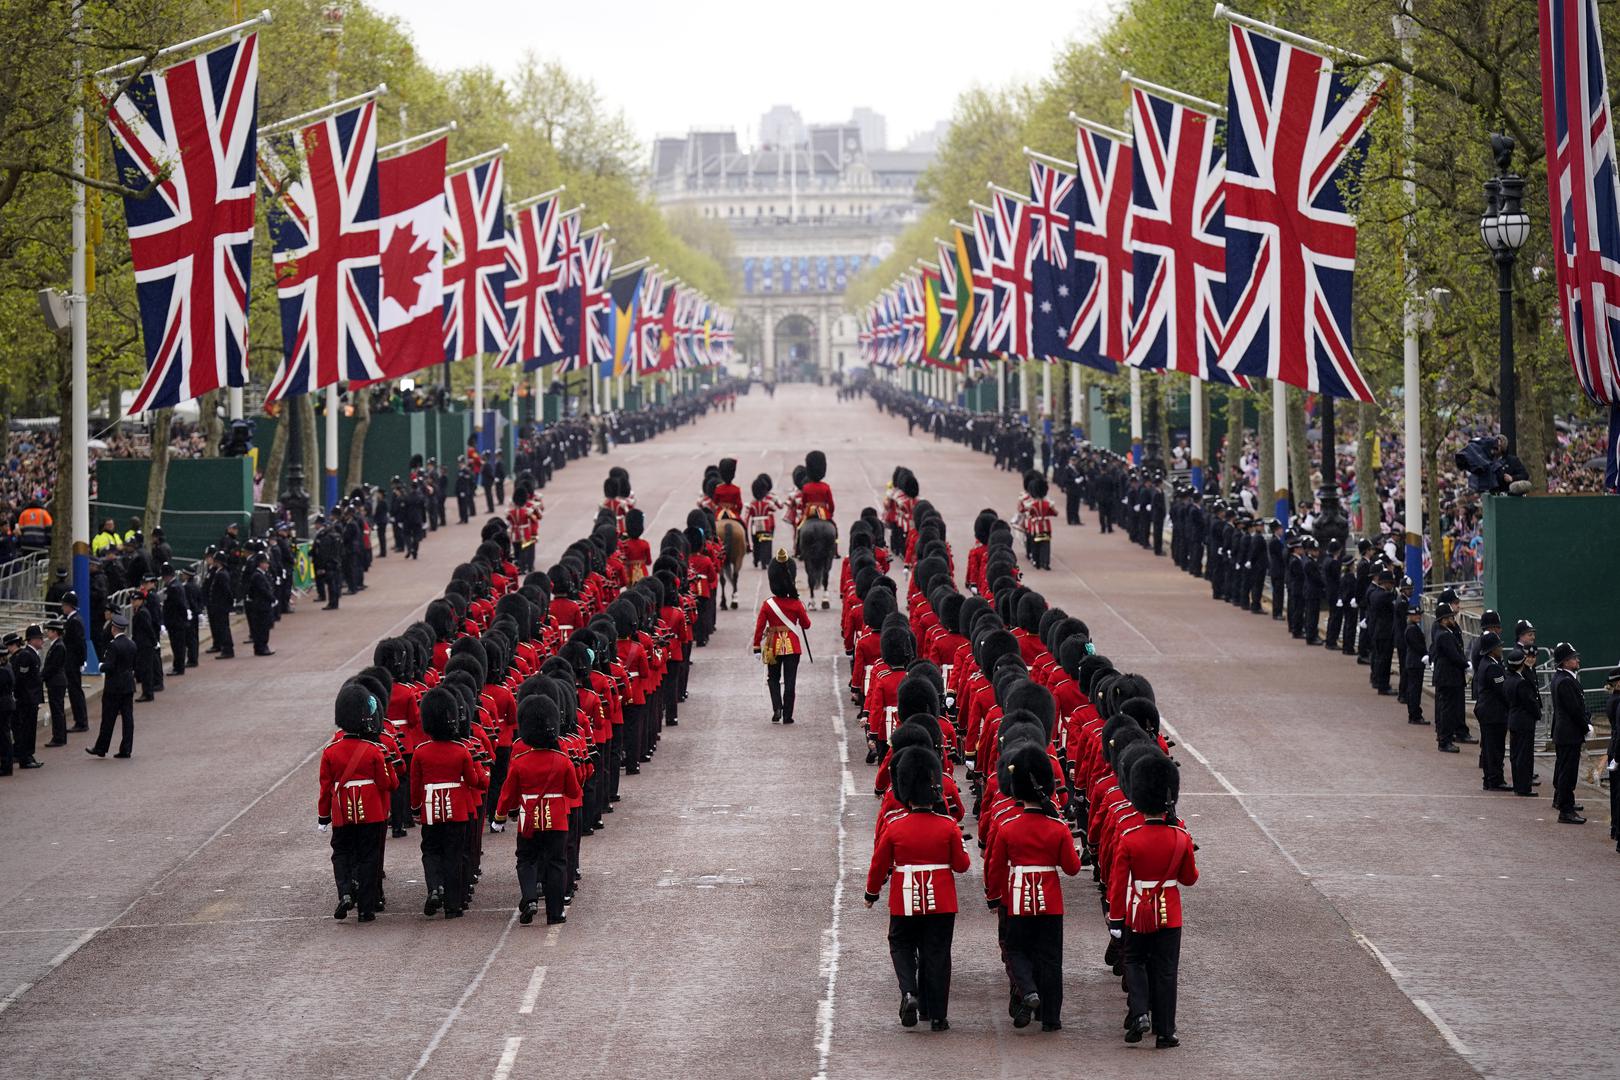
(1295, 143)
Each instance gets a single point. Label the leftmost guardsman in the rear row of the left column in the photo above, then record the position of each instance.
(356, 788)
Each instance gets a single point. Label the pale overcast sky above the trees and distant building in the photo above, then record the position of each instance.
(675, 66)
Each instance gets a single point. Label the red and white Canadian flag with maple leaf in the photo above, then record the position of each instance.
(412, 195)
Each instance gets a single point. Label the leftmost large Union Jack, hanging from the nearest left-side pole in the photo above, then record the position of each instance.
(192, 240)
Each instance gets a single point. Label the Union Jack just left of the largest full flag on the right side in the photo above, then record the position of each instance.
(1177, 250)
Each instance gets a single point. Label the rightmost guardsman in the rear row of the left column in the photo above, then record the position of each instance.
(540, 791)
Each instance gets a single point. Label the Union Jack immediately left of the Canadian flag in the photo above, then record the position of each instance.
(326, 239)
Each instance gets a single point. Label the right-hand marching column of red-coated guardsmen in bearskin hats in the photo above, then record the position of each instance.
(1062, 763)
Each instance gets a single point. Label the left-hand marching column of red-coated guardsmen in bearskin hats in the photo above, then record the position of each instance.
(518, 702)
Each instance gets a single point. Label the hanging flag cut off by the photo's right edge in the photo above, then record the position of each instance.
(1585, 202)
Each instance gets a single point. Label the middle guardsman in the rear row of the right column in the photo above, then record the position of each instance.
(1021, 878)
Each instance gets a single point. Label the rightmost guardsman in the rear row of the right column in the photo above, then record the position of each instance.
(1153, 862)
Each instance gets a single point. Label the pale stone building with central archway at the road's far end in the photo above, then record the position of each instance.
(806, 216)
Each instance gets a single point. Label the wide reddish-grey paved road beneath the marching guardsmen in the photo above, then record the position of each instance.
(1365, 911)
